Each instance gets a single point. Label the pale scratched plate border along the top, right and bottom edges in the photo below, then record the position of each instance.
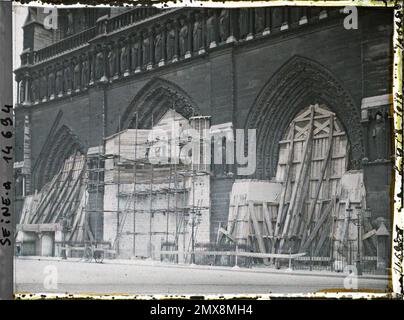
(396, 282)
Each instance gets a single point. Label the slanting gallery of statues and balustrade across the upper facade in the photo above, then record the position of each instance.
(137, 41)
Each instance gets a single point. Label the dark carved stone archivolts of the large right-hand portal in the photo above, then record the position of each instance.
(298, 83)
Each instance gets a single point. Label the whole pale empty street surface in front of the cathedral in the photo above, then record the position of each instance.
(55, 275)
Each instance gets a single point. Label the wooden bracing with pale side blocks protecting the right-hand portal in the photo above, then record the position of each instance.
(306, 203)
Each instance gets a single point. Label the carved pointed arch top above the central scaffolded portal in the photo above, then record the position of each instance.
(154, 100)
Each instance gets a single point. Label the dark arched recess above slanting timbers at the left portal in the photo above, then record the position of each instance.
(57, 149)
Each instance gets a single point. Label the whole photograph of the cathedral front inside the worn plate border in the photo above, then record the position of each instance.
(203, 151)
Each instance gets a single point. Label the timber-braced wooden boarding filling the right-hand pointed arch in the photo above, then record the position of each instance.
(312, 160)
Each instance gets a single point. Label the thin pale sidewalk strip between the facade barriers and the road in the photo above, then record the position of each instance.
(153, 263)
